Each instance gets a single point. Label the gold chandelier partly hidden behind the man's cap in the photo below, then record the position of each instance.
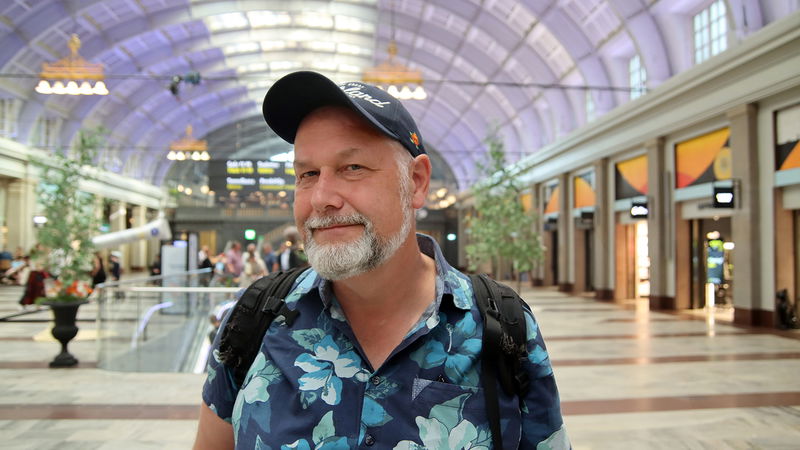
(397, 79)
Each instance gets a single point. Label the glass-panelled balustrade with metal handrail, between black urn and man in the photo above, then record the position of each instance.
(159, 324)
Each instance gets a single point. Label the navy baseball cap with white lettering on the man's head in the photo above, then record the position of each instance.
(296, 95)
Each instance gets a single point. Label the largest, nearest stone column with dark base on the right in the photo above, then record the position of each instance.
(746, 220)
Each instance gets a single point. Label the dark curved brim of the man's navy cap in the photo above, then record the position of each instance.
(296, 95)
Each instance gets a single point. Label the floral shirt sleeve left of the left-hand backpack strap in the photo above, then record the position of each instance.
(220, 389)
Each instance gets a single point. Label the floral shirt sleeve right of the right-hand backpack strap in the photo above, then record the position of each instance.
(542, 424)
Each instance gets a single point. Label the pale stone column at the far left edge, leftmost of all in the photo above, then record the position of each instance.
(20, 208)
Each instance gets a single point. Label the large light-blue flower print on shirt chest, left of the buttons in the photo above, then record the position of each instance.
(325, 370)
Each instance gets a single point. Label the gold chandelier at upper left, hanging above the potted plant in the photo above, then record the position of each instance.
(68, 72)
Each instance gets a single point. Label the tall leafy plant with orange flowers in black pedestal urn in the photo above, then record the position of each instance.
(65, 249)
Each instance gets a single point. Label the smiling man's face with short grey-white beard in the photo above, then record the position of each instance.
(351, 205)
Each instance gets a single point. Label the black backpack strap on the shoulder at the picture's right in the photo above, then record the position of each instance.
(504, 344)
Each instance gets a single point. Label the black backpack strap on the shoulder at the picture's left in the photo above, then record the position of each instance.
(250, 318)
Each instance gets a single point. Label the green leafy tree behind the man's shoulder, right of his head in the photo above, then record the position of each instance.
(500, 229)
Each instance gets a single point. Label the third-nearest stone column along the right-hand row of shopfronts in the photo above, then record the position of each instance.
(602, 263)
